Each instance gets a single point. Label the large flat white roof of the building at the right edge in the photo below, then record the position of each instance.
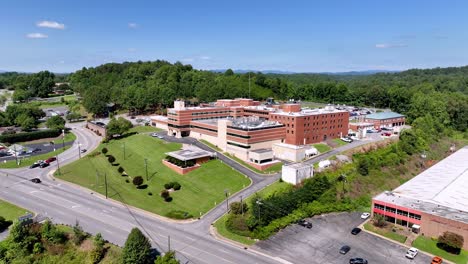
(440, 190)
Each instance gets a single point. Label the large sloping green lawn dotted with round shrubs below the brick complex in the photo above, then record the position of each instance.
(201, 189)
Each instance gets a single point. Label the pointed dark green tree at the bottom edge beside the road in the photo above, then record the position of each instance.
(137, 248)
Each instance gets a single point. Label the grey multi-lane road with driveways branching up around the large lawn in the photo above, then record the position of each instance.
(65, 203)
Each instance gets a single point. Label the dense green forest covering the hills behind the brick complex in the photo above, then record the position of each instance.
(441, 93)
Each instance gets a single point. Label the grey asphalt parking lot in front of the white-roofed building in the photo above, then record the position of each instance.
(321, 243)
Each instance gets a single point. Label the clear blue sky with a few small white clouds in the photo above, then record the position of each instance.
(299, 36)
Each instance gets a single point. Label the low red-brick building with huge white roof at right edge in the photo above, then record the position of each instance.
(433, 202)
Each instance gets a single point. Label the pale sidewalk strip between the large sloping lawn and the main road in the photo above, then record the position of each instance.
(50, 175)
